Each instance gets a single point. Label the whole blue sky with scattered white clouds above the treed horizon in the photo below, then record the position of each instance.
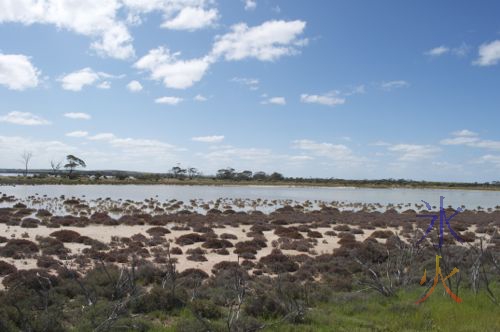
(347, 89)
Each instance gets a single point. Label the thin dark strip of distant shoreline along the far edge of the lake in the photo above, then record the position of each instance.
(348, 184)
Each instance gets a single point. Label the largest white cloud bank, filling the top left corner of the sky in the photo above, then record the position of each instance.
(93, 18)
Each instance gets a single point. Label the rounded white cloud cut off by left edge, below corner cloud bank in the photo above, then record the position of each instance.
(17, 72)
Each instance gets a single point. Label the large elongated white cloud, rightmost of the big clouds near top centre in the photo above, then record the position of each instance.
(266, 42)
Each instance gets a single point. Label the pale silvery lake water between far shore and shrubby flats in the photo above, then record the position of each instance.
(471, 199)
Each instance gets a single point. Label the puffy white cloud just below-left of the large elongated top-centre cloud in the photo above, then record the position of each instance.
(177, 74)
